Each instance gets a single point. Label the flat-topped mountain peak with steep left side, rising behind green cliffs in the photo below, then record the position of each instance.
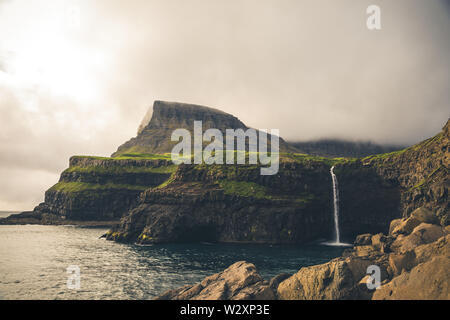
(154, 135)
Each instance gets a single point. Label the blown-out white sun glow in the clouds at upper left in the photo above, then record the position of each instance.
(47, 57)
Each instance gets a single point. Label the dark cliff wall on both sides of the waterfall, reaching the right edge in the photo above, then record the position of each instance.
(236, 204)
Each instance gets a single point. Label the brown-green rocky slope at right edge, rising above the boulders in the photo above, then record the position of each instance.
(421, 172)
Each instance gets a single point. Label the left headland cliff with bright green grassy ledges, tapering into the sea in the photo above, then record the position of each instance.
(98, 189)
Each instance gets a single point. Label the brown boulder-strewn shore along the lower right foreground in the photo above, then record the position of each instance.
(413, 259)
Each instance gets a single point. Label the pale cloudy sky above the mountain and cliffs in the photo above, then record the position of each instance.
(77, 77)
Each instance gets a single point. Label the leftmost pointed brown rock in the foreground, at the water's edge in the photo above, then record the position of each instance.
(240, 281)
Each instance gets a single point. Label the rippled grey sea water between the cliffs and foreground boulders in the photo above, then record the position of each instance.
(34, 262)
